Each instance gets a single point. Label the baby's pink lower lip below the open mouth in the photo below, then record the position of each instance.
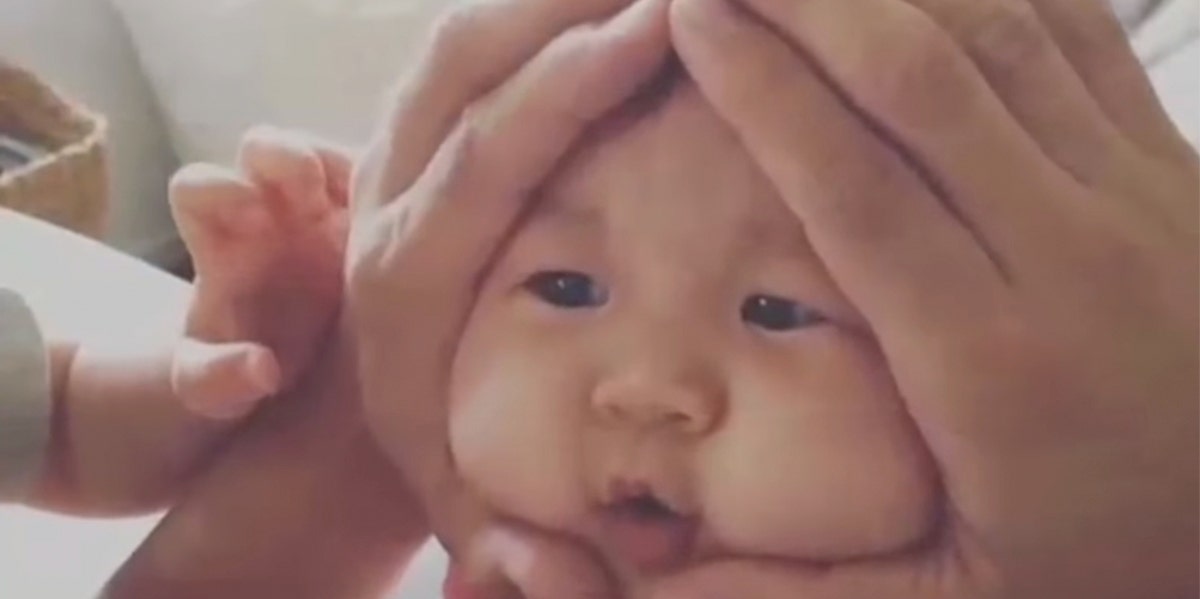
(649, 543)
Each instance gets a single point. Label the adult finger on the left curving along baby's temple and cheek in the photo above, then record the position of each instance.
(430, 250)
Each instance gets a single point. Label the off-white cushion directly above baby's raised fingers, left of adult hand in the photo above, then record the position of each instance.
(220, 67)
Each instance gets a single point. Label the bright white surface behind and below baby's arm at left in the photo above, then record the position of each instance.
(82, 290)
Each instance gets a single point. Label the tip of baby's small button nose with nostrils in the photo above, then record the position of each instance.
(688, 405)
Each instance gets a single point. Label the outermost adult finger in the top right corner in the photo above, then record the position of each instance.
(1095, 43)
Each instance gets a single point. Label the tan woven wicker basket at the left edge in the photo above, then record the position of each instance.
(69, 185)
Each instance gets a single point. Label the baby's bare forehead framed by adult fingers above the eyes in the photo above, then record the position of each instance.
(668, 167)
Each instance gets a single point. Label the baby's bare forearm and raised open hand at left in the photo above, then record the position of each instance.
(131, 429)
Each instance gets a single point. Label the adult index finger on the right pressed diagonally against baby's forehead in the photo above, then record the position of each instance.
(896, 250)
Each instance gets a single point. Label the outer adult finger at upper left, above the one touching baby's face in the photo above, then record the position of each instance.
(476, 47)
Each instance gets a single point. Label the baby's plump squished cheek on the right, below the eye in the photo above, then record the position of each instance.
(820, 463)
